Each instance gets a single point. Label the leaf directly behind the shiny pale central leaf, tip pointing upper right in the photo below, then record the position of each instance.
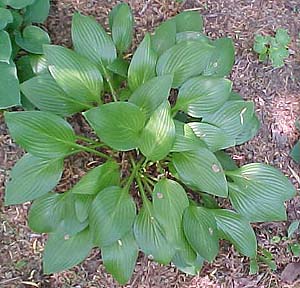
(151, 94)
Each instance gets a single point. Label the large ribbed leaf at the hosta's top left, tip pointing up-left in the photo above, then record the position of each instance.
(91, 41)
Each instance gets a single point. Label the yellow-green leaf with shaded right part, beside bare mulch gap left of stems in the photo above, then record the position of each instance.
(98, 178)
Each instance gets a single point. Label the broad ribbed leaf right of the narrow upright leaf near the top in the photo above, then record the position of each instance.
(184, 60)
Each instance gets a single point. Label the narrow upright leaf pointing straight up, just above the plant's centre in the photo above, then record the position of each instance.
(142, 65)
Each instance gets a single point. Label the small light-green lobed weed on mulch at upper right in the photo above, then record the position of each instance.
(274, 48)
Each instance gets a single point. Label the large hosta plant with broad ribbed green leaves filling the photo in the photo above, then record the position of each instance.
(162, 121)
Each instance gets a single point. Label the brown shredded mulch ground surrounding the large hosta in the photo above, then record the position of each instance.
(276, 93)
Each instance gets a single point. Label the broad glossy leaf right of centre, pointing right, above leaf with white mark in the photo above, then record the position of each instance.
(203, 95)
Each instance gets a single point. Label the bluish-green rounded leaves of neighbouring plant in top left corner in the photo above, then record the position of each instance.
(19, 37)
